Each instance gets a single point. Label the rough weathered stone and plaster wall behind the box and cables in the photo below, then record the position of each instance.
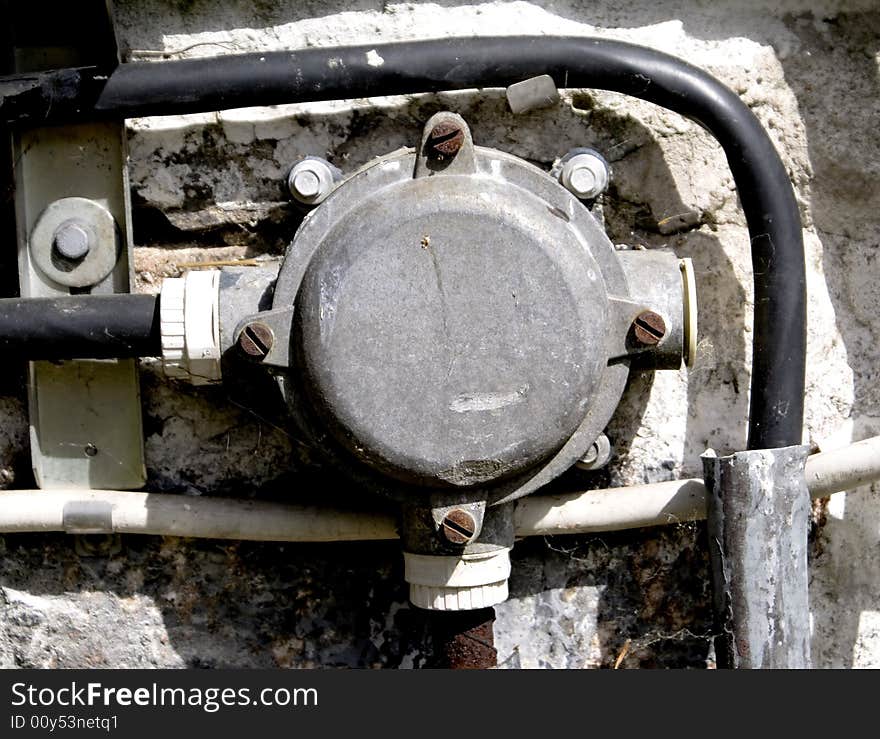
(209, 187)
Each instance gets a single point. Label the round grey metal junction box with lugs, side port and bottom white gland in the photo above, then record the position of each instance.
(452, 328)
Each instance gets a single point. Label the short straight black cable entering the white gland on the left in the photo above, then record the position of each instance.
(80, 327)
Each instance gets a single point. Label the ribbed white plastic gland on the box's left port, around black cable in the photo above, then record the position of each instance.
(189, 316)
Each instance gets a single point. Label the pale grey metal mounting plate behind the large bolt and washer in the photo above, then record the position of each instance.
(86, 402)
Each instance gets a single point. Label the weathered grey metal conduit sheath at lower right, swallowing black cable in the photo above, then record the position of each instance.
(758, 514)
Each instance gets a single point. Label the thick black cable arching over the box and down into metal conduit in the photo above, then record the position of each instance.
(777, 389)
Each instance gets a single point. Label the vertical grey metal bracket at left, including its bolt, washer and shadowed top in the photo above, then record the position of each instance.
(85, 415)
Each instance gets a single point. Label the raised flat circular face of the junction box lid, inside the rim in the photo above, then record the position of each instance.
(449, 329)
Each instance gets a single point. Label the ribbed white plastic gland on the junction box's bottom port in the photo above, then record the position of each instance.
(457, 583)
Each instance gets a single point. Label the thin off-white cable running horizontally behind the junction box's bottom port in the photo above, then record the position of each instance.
(109, 511)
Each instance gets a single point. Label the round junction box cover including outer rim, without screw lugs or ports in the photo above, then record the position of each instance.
(450, 323)
